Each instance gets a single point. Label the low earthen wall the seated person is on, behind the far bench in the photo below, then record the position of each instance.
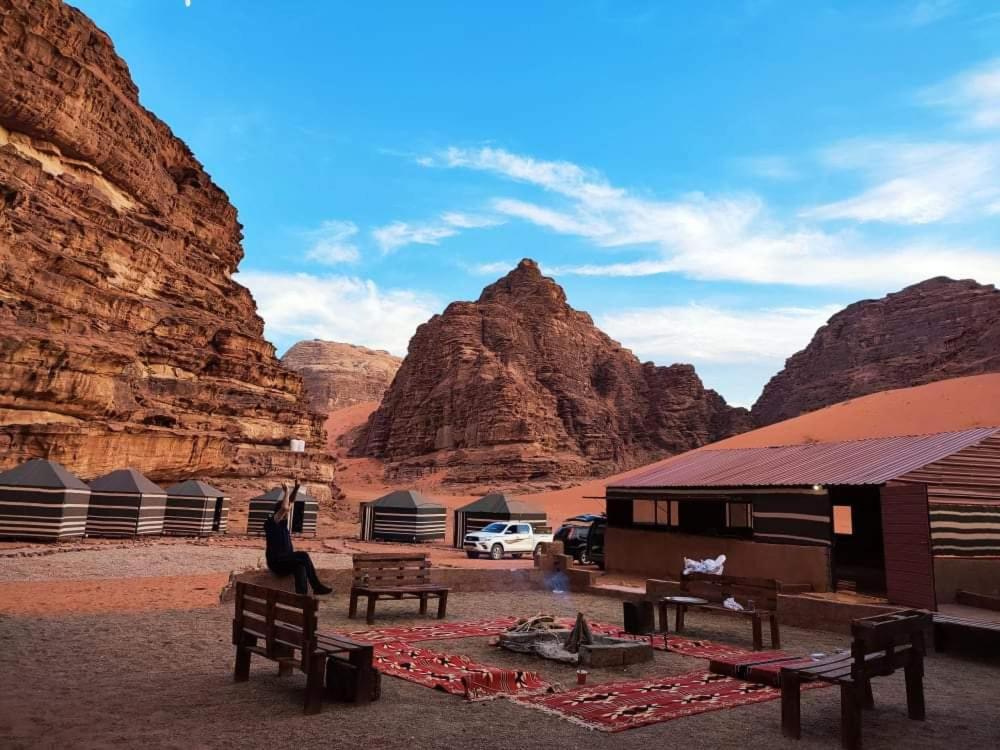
(457, 579)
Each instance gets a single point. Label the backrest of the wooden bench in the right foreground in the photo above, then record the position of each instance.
(892, 639)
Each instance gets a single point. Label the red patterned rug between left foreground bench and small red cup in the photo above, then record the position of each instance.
(457, 675)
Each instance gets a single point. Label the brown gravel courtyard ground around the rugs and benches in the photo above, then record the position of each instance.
(163, 680)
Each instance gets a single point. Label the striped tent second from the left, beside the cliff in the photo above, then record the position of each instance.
(123, 504)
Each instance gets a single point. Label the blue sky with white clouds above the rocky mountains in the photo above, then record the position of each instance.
(710, 181)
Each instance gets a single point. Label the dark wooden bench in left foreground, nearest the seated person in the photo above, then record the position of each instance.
(287, 623)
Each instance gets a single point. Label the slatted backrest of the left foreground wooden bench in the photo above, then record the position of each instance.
(285, 621)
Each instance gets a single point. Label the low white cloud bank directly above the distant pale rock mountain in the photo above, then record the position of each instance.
(337, 308)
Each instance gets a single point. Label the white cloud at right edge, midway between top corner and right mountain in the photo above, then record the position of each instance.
(915, 183)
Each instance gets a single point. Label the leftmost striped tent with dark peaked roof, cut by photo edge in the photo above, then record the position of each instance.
(42, 501)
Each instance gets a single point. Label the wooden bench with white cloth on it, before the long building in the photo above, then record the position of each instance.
(758, 596)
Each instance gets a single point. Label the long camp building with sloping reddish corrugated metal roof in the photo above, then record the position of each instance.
(910, 518)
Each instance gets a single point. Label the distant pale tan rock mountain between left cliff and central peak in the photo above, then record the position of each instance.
(338, 375)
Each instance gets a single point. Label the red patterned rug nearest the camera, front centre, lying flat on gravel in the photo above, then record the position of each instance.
(616, 707)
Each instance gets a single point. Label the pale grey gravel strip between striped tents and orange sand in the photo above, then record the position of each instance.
(144, 561)
